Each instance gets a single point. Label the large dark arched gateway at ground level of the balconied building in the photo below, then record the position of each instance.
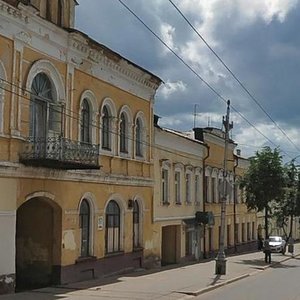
(38, 244)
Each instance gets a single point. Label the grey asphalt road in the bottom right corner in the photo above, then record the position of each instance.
(279, 282)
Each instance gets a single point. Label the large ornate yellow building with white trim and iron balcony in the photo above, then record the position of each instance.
(76, 169)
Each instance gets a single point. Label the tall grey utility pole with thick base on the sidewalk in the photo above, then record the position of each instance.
(220, 259)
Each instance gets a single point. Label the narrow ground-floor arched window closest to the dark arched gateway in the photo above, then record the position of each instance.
(84, 216)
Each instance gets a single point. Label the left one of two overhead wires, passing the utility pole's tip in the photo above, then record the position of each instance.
(195, 73)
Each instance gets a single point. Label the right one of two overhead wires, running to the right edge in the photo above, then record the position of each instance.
(233, 75)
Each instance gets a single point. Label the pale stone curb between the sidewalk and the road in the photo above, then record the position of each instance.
(213, 287)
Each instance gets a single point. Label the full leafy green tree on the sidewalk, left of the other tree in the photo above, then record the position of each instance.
(264, 182)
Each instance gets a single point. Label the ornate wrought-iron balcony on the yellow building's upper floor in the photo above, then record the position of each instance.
(59, 153)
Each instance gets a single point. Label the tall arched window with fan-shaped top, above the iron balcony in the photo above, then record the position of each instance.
(44, 114)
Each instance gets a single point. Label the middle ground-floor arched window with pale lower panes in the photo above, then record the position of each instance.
(112, 230)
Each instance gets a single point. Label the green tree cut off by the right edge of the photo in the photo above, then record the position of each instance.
(289, 207)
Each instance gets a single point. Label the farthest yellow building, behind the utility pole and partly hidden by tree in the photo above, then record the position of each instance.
(240, 225)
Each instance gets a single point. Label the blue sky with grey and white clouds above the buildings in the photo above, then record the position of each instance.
(257, 40)
